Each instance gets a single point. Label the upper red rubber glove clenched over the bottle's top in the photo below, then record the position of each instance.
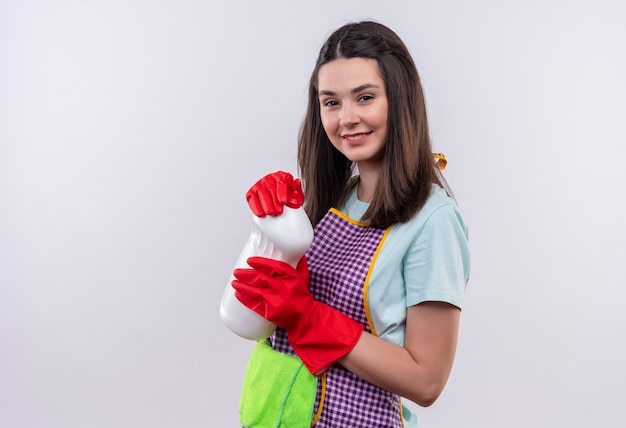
(268, 195)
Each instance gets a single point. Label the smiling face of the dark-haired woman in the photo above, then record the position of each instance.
(354, 108)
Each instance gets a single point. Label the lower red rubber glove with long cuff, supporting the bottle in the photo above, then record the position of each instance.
(318, 333)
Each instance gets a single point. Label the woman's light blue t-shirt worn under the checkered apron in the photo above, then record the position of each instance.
(424, 259)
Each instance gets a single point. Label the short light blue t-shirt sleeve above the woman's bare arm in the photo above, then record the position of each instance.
(437, 264)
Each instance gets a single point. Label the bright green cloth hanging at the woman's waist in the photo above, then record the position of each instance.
(278, 390)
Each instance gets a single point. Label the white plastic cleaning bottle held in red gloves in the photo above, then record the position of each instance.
(284, 237)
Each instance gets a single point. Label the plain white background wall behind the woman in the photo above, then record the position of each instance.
(130, 131)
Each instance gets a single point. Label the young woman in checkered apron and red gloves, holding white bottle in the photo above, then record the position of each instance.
(372, 311)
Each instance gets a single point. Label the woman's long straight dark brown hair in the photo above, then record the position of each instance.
(408, 169)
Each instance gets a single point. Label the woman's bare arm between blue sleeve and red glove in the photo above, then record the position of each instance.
(419, 370)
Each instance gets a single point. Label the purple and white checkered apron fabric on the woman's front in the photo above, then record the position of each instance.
(339, 259)
